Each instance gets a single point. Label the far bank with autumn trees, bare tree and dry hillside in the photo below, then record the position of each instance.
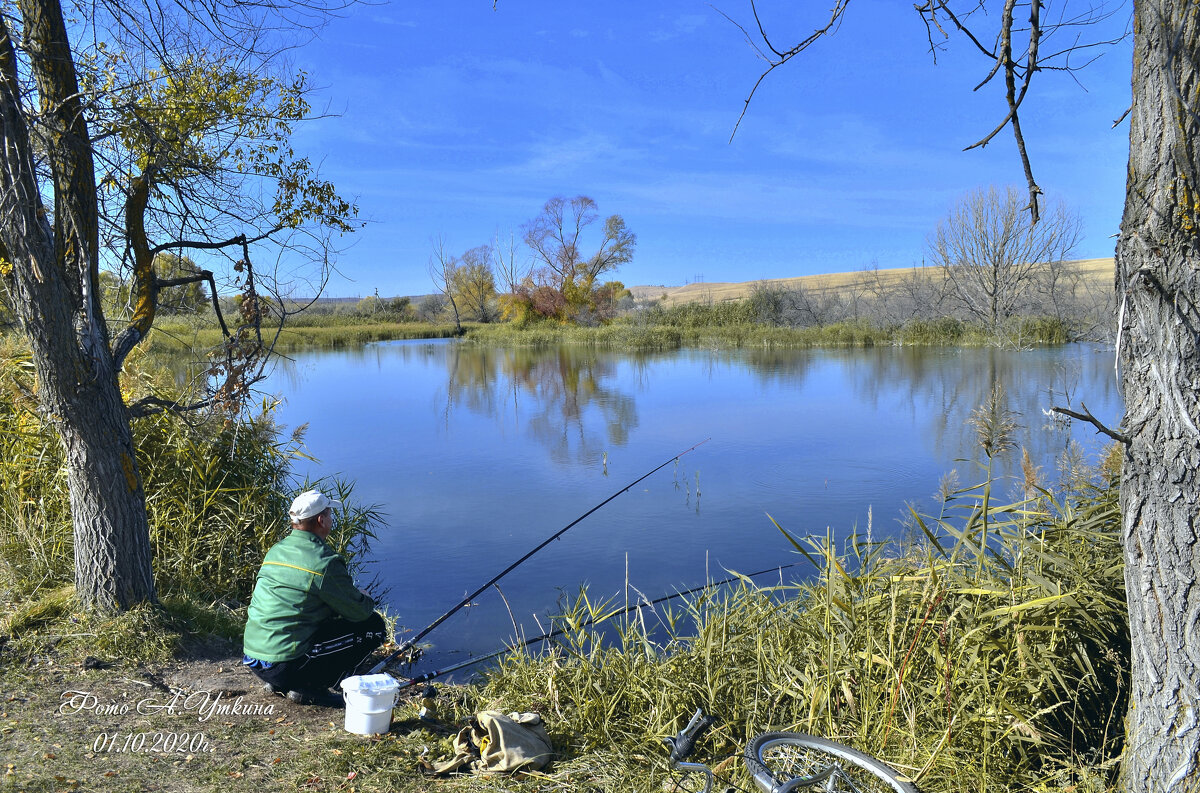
(987, 267)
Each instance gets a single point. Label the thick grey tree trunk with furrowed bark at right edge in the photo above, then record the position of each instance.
(1159, 285)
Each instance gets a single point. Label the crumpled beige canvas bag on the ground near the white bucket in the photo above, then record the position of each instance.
(496, 743)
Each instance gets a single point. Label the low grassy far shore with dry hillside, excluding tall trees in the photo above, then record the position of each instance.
(909, 307)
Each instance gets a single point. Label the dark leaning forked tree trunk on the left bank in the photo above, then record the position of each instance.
(56, 273)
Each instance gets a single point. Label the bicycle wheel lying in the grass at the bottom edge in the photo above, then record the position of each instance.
(778, 758)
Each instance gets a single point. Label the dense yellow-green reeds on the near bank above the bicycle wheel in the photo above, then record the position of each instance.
(989, 654)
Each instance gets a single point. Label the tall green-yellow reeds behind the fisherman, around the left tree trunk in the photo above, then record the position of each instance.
(218, 490)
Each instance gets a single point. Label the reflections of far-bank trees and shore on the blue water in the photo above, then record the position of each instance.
(580, 404)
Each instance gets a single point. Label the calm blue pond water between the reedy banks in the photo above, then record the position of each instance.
(476, 456)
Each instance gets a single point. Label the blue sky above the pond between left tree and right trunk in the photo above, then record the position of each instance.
(457, 121)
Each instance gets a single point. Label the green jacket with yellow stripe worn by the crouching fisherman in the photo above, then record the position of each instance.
(303, 584)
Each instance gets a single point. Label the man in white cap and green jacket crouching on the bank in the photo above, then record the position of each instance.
(309, 627)
